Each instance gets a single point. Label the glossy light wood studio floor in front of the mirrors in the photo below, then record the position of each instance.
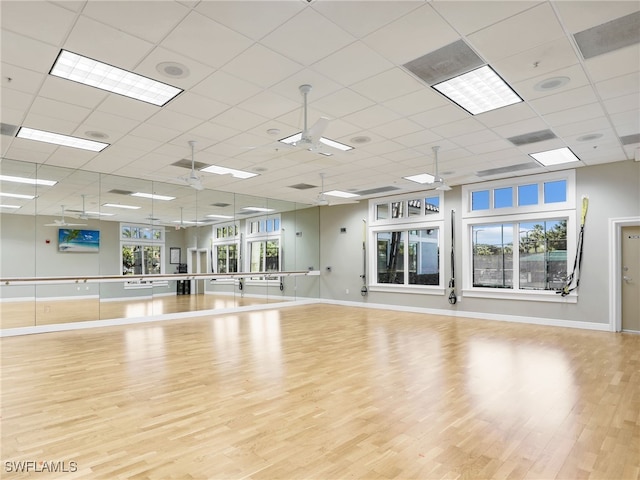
(323, 392)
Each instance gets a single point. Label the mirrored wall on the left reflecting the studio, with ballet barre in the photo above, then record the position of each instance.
(58, 222)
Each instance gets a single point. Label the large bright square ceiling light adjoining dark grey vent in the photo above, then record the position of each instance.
(478, 91)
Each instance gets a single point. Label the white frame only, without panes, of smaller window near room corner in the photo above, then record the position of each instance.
(404, 224)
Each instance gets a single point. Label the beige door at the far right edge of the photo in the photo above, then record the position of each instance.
(630, 283)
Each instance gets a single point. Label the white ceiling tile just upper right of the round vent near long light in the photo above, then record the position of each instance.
(198, 37)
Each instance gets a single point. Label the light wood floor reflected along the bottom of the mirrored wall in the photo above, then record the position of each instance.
(48, 312)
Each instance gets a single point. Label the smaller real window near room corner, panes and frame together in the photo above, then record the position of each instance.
(406, 235)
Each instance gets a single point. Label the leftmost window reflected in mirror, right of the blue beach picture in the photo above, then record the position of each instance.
(142, 249)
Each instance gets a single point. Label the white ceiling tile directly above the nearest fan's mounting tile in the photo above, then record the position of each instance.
(307, 27)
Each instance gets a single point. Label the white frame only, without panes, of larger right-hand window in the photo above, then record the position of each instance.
(516, 215)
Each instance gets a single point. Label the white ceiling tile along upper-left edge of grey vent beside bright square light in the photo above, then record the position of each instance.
(412, 36)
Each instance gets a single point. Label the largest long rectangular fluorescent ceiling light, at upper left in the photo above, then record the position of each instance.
(112, 79)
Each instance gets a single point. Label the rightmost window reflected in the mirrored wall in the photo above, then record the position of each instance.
(263, 245)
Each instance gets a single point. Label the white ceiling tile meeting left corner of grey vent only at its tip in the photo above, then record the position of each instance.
(352, 64)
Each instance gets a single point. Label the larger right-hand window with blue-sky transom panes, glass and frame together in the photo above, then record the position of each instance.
(523, 251)
